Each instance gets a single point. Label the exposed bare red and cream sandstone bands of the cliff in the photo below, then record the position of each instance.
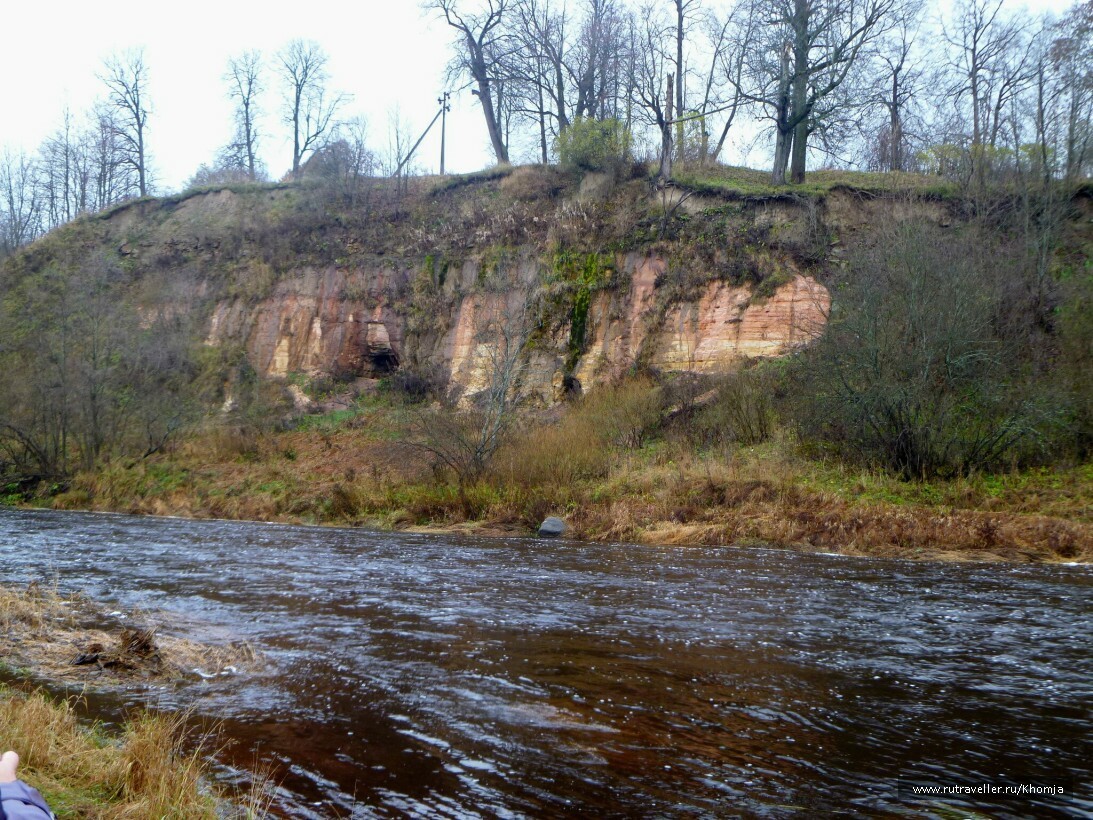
(355, 322)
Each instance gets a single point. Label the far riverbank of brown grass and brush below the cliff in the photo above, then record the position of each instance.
(356, 468)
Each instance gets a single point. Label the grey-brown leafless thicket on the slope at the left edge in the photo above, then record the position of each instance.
(87, 374)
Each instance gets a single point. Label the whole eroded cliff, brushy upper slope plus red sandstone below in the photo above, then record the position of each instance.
(304, 288)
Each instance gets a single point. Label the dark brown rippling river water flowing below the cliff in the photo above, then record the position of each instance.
(449, 676)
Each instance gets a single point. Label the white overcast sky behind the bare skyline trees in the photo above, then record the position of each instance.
(385, 53)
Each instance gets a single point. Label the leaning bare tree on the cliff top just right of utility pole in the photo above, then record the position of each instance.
(480, 51)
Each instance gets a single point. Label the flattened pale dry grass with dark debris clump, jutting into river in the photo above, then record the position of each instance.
(46, 634)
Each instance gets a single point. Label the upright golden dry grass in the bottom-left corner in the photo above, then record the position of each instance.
(152, 770)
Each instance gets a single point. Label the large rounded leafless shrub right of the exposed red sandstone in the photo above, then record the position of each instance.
(933, 361)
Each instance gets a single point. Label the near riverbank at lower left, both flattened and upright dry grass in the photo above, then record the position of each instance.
(152, 766)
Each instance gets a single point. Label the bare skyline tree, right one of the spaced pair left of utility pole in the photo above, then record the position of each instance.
(310, 109)
